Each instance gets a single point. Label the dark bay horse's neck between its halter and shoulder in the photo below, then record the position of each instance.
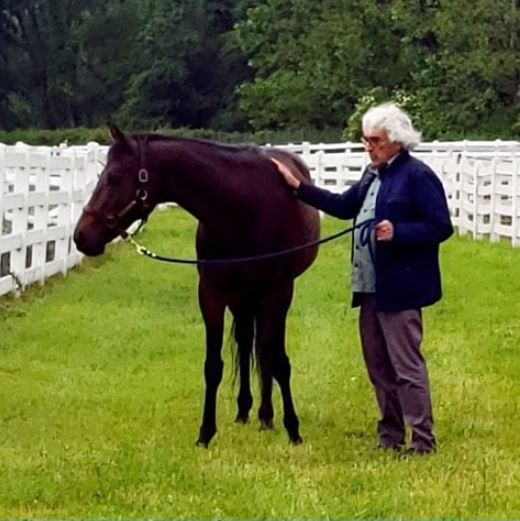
(196, 181)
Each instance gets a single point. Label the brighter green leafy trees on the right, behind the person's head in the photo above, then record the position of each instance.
(453, 63)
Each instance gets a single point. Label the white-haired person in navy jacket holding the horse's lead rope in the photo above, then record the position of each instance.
(396, 272)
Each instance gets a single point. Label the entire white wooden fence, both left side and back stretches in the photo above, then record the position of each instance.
(45, 188)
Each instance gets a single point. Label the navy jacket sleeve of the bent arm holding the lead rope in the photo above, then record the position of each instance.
(433, 225)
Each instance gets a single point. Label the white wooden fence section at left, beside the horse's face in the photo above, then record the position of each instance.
(43, 192)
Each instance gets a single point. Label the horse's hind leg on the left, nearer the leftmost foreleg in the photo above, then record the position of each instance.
(244, 336)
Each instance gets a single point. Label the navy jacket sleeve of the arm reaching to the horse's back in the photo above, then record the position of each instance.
(343, 206)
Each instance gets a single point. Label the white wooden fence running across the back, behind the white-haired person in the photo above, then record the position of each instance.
(481, 179)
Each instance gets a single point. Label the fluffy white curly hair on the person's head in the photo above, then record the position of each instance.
(395, 122)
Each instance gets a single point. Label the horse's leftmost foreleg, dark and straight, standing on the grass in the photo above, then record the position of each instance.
(213, 315)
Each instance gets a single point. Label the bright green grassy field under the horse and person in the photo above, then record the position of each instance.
(101, 390)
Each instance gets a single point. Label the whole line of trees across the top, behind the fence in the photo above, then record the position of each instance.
(253, 65)
